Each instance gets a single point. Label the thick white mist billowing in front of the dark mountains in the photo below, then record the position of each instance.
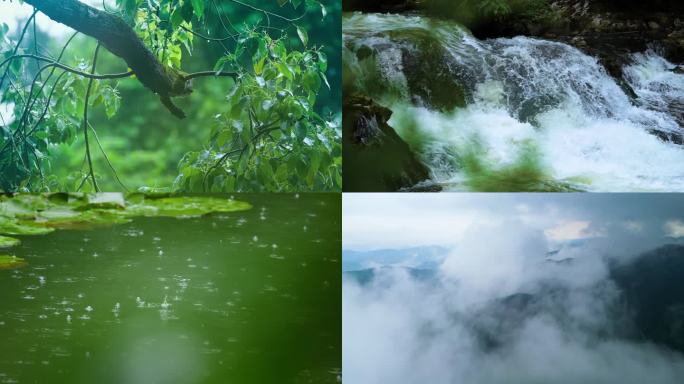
(399, 329)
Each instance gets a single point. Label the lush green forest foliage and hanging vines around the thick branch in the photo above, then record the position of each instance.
(257, 82)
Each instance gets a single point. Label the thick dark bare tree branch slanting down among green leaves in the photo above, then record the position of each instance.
(119, 38)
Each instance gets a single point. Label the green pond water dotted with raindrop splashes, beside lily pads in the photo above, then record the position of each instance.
(243, 297)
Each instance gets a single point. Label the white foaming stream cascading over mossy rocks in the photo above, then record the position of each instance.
(529, 103)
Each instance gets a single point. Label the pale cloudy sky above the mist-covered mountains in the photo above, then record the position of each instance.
(396, 221)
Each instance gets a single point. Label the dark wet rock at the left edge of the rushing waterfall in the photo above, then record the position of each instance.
(376, 158)
